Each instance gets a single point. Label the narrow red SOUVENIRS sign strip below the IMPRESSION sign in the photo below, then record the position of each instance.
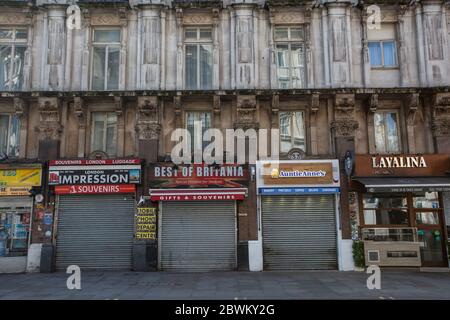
(96, 189)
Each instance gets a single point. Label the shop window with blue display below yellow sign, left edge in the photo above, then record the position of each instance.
(14, 231)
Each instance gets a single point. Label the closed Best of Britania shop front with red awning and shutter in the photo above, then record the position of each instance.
(198, 220)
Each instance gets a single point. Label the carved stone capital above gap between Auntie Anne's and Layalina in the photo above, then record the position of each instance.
(344, 124)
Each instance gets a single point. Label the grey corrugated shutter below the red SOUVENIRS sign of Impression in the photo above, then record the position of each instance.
(95, 231)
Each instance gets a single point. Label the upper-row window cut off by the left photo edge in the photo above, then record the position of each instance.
(13, 44)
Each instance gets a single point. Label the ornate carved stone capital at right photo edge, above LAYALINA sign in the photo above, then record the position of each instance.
(440, 123)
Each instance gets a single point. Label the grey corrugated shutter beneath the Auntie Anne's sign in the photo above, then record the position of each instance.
(299, 232)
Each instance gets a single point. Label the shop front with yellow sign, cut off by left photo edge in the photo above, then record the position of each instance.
(16, 211)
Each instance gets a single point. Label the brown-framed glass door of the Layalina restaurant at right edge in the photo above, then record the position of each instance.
(430, 229)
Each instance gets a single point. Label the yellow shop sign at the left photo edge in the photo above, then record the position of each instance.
(23, 177)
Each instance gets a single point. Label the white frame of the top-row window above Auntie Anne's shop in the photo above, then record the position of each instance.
(289, 41)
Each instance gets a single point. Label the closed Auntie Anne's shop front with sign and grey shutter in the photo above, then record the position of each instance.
(298, 214)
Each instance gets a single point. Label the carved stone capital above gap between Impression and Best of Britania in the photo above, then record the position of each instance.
(148, 127)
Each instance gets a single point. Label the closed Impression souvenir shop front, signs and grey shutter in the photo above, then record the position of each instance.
(95, 209)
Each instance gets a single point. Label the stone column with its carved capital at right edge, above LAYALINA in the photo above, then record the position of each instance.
(440, 123)
